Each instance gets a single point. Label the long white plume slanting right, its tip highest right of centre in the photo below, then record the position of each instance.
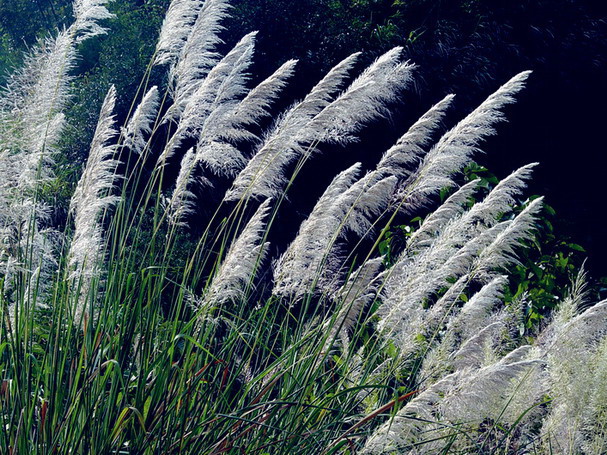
(303, 126)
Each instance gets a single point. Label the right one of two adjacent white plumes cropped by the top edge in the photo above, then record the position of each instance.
(198, 55)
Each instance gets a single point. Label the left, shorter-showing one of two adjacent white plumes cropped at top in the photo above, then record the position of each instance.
(176, 28)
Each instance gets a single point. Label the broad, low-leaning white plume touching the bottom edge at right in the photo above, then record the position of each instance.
(464, 397)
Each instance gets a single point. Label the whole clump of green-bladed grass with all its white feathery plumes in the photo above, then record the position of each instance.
(162, 319)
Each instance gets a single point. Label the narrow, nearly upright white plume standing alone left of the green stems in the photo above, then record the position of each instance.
(91, 199)
